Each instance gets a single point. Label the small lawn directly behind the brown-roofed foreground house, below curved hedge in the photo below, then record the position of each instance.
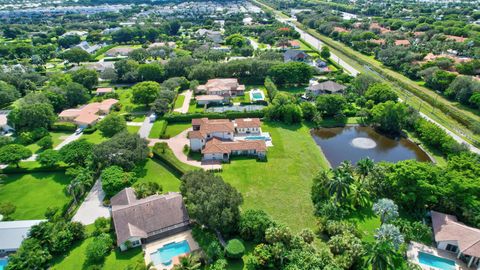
(155, 171)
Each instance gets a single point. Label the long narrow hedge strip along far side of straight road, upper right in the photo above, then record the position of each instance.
(448, 110)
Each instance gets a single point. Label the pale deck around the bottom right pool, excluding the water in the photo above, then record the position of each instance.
(414, 248)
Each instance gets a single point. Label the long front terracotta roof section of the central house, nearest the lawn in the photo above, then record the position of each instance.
(215, 146)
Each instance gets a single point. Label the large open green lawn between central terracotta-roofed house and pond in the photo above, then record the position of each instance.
(280, 186)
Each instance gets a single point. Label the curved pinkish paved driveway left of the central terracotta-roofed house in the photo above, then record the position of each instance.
(177, 143)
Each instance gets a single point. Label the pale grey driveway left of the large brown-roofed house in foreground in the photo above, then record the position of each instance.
(92, 207)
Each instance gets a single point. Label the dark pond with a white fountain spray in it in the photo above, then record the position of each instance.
(355, 142)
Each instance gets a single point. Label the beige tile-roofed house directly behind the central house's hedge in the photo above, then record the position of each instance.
(219, 91)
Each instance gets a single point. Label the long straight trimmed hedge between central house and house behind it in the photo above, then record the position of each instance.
(175, 118)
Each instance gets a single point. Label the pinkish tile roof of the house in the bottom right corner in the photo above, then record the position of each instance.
(448, 228)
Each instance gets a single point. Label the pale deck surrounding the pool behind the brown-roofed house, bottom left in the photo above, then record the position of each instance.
(154, 246)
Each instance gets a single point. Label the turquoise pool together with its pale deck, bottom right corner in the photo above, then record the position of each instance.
(429, 258)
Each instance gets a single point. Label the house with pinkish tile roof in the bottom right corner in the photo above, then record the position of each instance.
(456, 237)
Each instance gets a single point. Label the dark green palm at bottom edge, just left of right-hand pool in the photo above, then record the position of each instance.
(382, 256)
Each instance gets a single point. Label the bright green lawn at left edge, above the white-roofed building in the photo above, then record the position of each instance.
(33, 193)
